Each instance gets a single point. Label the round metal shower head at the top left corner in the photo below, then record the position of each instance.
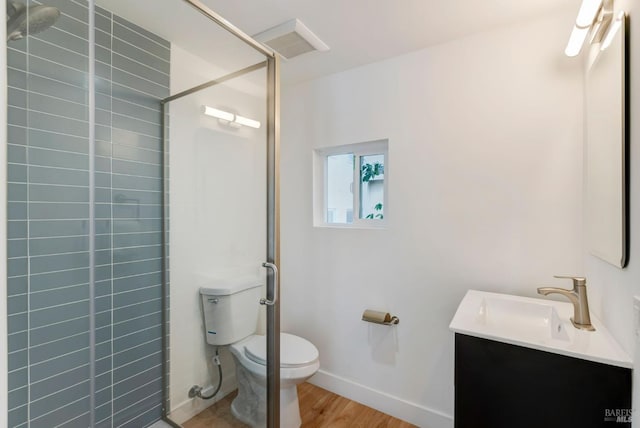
(23, 20)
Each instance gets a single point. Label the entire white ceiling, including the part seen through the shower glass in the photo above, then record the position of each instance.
(357, 31)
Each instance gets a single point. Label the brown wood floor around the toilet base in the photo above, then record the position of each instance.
(319, 408)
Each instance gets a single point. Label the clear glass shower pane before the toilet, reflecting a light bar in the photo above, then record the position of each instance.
(217, 227)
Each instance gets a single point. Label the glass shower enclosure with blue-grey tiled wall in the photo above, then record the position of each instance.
(123, 198)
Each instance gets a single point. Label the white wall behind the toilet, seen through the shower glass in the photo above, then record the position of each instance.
(217, 217)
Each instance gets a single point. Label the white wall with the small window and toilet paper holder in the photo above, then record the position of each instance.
(485, 192)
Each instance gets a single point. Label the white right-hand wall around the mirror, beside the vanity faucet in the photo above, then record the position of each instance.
(611, 289)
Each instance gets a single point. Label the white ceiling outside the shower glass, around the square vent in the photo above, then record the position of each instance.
(364, 31)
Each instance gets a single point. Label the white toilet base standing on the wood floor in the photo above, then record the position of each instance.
(250, 406)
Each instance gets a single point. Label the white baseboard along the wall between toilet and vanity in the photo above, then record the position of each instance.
(402, 409)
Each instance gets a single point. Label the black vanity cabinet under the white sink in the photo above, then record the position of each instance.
(498, 385)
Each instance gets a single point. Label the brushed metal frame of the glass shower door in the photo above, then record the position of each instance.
(273, 215)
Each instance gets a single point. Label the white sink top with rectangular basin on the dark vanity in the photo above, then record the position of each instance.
(535, 323)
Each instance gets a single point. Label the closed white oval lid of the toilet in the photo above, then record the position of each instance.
(294, 351)
